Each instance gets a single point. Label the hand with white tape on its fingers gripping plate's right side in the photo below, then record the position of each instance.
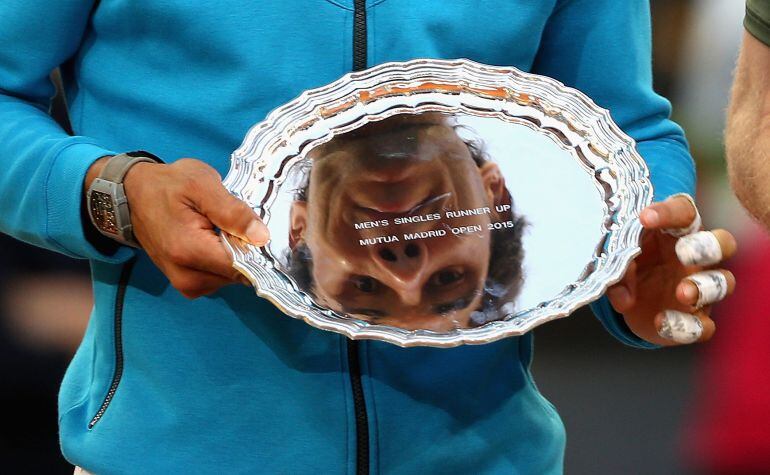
(667, 301)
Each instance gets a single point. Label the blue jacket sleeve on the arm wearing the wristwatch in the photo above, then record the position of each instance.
(43, 168)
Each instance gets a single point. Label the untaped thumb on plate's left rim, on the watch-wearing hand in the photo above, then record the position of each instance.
(232, 215)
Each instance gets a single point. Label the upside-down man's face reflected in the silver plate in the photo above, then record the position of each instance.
(428, 272)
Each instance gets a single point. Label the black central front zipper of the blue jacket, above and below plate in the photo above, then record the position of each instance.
(354, 365)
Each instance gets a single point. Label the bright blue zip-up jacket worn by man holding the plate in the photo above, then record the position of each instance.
(225, 383)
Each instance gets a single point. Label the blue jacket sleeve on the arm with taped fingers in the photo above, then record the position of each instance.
(604, 48)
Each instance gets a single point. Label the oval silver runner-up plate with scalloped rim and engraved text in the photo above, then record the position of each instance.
(574, 179)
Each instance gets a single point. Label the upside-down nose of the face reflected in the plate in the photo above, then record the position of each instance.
(403, 264)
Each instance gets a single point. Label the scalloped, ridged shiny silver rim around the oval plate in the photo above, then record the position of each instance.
(466, 87)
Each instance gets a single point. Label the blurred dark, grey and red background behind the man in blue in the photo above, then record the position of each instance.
(691, 410)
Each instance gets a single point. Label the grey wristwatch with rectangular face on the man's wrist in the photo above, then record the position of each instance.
(107, 204)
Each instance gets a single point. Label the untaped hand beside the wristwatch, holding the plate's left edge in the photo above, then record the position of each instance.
(175, 209)
